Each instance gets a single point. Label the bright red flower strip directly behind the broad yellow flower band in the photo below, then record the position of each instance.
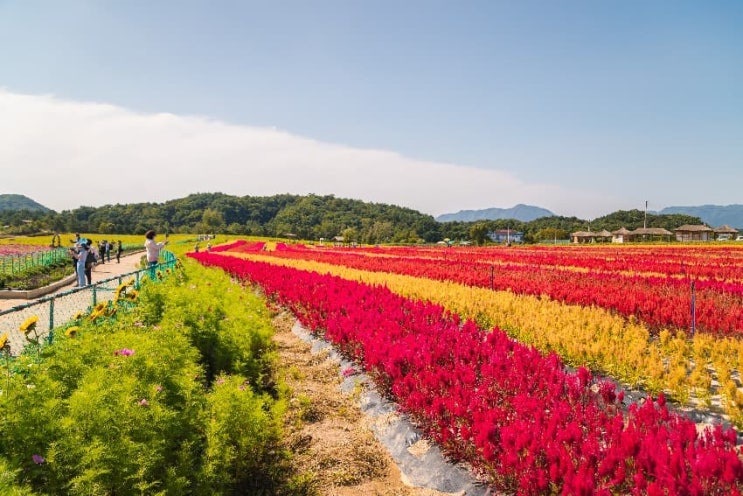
(660, 301)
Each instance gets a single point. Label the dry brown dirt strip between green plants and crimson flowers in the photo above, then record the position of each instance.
(330, 437)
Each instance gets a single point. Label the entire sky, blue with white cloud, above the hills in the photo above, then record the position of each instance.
(581, 107)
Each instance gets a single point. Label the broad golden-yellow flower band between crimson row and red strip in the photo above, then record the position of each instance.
(589, 336)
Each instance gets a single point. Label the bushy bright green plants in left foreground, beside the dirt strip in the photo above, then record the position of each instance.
(125, 407)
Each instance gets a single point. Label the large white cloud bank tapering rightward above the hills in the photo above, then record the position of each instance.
(65, 154)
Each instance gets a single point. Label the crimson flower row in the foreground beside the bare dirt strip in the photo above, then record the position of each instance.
(511, 412)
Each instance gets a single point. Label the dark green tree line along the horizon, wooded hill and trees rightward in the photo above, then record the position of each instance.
(307, 217)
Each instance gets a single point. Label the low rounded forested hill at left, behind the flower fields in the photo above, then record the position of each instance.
(307, 217)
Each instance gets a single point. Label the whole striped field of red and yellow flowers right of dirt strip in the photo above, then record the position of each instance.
(421, 322)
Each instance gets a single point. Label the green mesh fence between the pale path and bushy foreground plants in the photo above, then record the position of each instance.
(58, 309)
